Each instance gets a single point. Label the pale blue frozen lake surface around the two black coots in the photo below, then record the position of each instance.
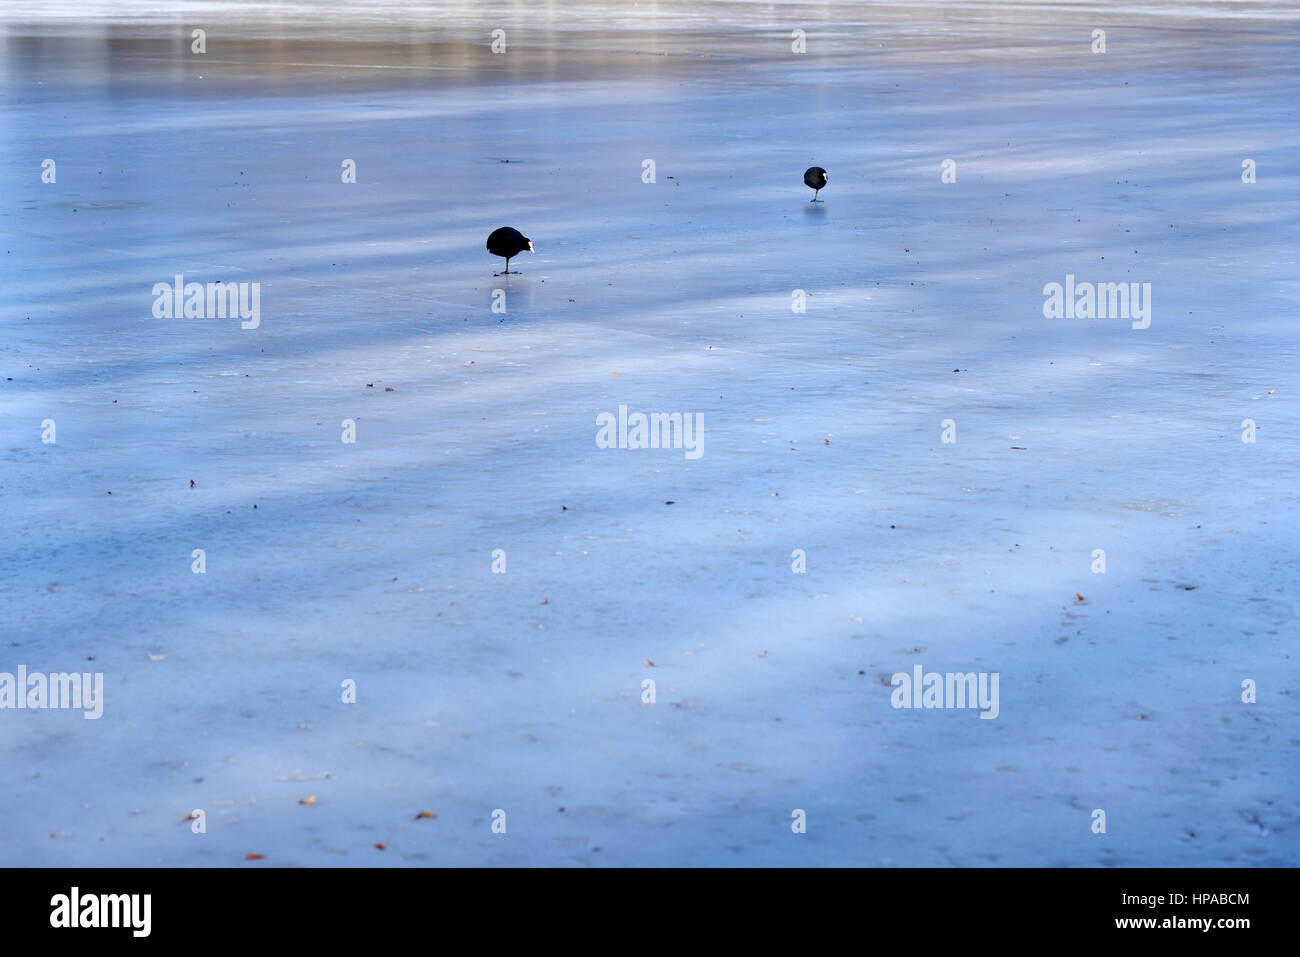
(475, 431)
